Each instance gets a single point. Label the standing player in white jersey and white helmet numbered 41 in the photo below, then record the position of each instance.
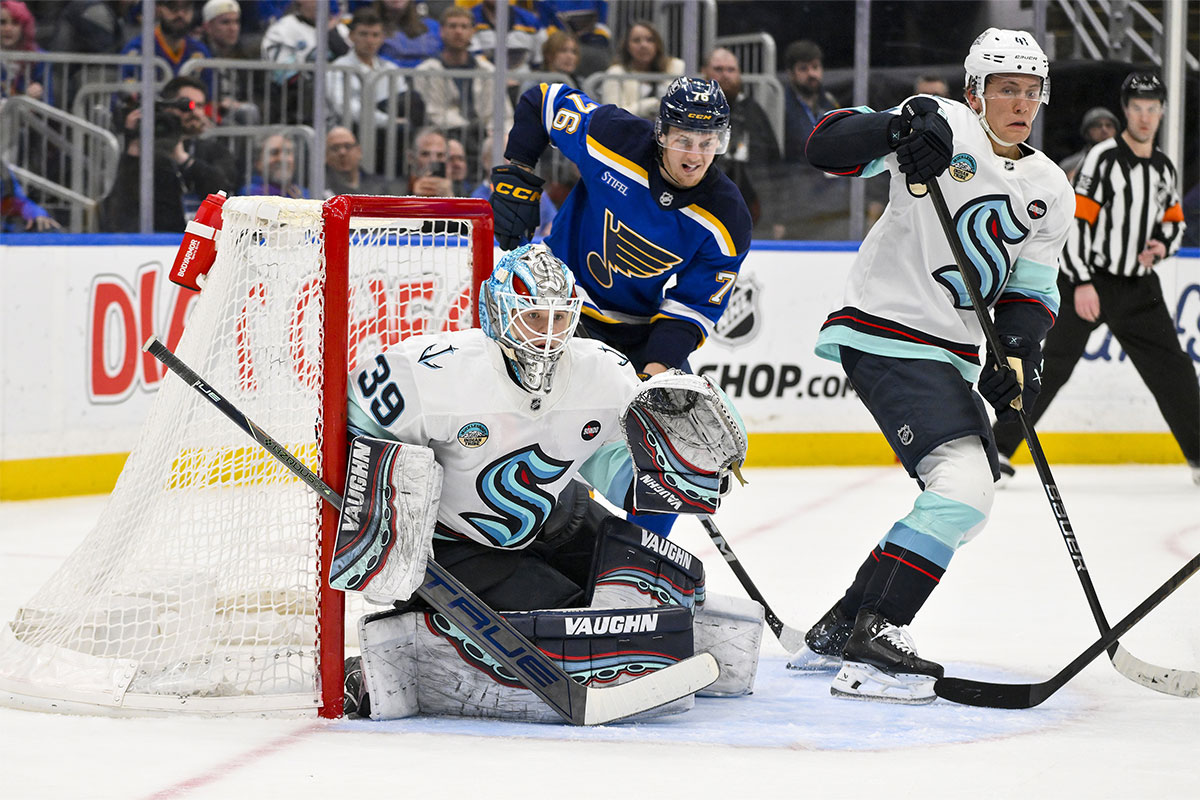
(909, 339)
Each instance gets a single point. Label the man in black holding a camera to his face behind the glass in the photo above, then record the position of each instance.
(209, 166)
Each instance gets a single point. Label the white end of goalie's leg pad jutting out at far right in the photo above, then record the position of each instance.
(731, 630)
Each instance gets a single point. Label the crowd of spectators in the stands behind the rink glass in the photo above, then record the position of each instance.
(237, 110)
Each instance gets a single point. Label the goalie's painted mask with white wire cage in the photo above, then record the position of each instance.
(530, 308)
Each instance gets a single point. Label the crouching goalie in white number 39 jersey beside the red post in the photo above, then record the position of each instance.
(514, 412)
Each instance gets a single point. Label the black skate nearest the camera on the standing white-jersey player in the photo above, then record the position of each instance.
(880, 663)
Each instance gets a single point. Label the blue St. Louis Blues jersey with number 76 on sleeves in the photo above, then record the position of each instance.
(641, 250)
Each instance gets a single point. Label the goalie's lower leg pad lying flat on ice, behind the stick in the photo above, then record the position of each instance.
(442, 672)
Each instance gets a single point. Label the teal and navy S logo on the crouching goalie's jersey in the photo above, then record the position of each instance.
(511, 486)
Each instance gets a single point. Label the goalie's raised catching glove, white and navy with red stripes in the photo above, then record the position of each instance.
(686, 440)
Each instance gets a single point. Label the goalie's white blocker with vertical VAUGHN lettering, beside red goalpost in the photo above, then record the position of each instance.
(386, 527)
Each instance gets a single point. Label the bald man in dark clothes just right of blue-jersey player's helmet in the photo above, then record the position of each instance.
(753, 147)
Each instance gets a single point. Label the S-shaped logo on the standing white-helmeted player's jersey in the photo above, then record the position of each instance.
(986, 227)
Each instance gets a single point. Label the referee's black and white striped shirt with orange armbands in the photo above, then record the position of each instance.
(1121, 203)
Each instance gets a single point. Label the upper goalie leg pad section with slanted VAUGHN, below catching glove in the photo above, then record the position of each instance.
(634, 568)
